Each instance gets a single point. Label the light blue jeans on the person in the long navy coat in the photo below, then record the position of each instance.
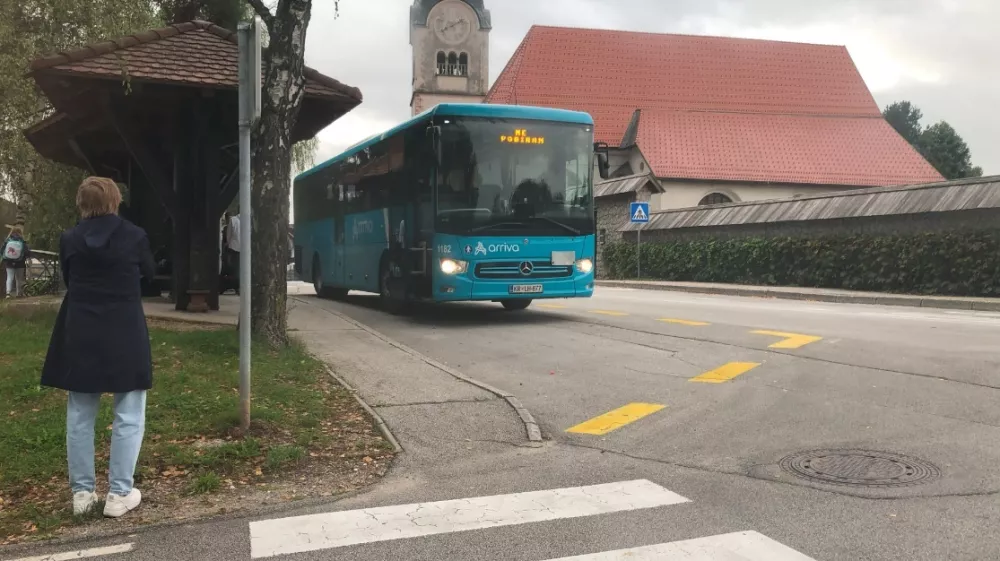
(126, 439)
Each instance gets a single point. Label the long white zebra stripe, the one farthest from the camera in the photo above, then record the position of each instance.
(300, 534)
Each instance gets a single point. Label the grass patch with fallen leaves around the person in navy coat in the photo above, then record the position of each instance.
(304, 424)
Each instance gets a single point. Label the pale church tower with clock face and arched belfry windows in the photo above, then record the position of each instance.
(451, 51)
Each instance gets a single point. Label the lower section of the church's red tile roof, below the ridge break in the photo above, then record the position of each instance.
(779, 148)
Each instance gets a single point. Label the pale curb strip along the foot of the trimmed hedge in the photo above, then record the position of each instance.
(983, 305)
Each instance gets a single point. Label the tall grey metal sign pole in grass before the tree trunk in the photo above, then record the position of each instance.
(246, 228)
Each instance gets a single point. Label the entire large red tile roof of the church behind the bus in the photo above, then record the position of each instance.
(718, 108)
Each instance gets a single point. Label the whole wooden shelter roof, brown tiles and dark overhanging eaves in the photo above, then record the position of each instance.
(159, 64)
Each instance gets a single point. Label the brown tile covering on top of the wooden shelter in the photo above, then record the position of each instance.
(195, 53)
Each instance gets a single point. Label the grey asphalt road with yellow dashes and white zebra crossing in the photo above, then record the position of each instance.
(854, 380)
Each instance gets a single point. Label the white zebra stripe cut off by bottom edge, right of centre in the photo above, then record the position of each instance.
(738, 546)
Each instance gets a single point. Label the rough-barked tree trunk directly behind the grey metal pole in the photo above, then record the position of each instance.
(272, 166)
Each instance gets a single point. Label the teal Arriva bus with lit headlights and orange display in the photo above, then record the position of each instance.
(464, 202)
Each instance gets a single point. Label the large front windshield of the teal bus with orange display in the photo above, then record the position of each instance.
(501, 177)
